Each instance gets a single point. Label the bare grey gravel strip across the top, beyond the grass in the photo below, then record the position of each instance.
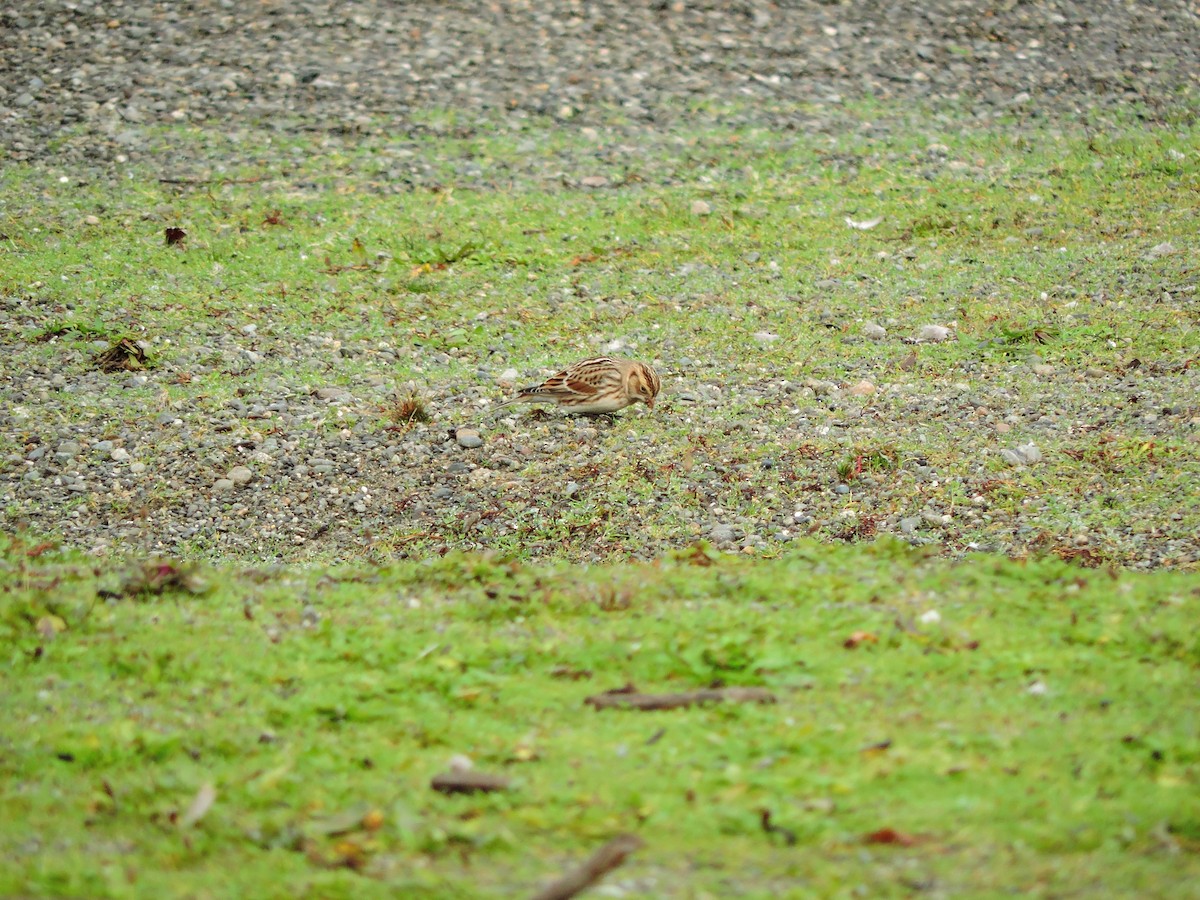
(80, 79)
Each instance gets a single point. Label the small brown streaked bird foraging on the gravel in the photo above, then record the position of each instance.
(596, 387)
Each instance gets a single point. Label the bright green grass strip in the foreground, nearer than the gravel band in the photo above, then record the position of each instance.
(1035, 739)
